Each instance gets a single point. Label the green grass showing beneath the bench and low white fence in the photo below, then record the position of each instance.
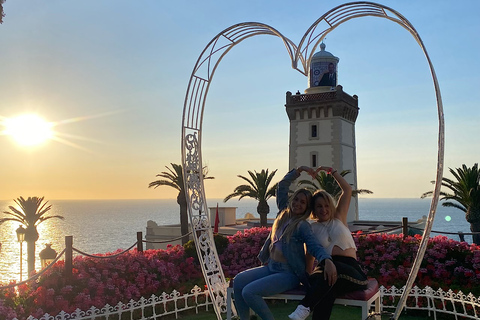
(281, 311)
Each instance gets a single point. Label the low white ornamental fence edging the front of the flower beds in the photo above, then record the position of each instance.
(439, 301)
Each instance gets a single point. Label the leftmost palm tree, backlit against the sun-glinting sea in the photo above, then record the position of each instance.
(31, 214)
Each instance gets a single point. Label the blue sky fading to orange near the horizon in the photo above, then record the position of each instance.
(110, 77)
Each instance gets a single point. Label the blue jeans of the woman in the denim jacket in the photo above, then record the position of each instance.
(251, 285)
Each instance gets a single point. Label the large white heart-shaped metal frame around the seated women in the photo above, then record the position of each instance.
(300, 56)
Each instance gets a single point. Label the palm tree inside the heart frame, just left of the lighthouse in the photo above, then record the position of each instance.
(258, 189)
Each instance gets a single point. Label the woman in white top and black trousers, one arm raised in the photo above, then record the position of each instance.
(331, 229)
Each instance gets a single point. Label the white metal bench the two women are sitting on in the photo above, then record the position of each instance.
(361, 298)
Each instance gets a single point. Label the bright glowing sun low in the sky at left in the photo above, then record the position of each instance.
(28, 130)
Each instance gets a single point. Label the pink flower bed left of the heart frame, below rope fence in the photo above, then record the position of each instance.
(96, 282)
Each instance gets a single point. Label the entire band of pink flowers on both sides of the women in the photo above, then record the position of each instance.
(448, 264)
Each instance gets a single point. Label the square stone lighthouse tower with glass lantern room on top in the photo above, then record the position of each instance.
(322, 123)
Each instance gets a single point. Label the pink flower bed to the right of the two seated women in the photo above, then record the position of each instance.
(447, 264)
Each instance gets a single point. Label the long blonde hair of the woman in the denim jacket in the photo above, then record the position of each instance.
(285, 215)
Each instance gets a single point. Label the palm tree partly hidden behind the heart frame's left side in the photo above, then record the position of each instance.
(174, 178)
